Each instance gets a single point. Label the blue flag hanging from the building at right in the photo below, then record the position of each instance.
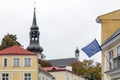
(92, 48)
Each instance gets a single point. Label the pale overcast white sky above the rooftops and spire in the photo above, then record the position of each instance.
(63, 24)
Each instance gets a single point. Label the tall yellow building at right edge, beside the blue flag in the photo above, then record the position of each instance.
(110, 38)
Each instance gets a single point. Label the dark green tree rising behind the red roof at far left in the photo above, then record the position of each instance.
(9, 40)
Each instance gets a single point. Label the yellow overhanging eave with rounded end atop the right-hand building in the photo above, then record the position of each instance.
(111, 15)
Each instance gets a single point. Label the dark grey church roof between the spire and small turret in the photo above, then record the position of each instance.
(62, 62)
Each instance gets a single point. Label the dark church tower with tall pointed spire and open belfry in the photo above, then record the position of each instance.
(34, 45)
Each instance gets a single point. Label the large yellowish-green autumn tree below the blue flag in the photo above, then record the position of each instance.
(87, 68)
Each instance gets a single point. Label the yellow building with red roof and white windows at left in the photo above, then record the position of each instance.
(18, 64)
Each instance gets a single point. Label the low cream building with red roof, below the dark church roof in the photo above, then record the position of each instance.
(63, 74)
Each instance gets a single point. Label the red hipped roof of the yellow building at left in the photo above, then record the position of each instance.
(15, 50)
